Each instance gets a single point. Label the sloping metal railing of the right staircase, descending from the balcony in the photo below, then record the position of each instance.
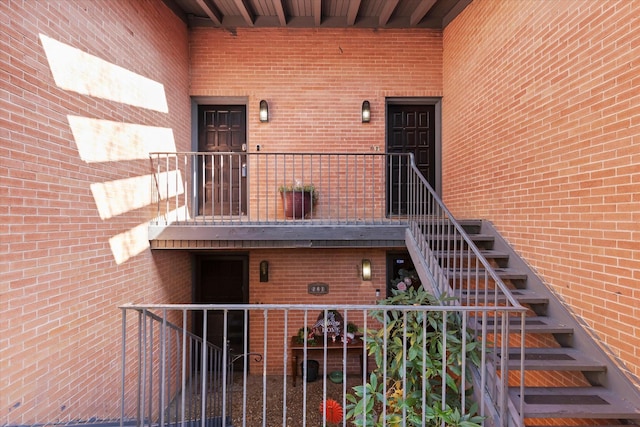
(447, 257)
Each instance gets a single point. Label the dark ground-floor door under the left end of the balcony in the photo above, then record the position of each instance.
(222, 280)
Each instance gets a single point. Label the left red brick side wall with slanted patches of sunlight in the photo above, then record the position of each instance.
(61, 281)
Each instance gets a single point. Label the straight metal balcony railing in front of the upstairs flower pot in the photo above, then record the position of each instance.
(217, 188)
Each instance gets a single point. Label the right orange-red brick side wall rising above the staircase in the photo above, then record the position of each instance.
(541, 135)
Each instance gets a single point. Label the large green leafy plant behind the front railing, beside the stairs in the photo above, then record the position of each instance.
(407, 383)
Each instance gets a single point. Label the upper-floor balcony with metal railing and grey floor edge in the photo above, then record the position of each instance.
(230, 197)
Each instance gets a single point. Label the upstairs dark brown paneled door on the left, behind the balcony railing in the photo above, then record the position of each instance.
(222, 179)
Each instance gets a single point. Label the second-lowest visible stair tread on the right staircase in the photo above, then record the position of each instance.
(554, 359)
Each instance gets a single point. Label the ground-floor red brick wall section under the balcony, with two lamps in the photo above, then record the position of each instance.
(290, 271)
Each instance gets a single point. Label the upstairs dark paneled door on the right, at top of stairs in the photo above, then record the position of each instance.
(410, 129)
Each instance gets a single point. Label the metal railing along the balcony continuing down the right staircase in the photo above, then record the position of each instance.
(357, 189)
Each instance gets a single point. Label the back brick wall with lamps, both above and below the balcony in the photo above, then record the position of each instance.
(315, 82)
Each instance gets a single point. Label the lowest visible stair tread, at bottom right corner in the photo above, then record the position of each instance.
(574, 402)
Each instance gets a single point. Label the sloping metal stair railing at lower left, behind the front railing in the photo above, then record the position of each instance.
(179, 375)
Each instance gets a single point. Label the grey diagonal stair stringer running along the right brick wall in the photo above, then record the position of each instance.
(584, 339)
